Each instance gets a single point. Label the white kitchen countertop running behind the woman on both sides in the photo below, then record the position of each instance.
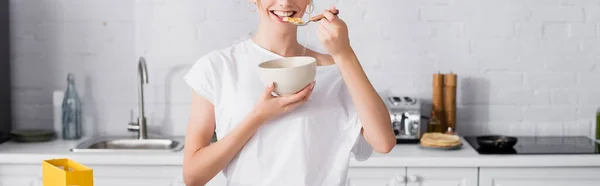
(403, 155)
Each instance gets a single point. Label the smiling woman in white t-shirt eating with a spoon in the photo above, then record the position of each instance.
(302, 139)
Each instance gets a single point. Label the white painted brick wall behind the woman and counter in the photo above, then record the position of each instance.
(525, 66)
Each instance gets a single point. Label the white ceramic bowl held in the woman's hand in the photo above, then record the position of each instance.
(290, 74)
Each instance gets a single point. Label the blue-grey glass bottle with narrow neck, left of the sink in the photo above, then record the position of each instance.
(71, 111)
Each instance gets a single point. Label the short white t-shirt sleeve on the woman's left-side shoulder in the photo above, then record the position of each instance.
(202, 78)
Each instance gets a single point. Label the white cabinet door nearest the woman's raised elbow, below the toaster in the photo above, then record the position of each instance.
(376, 176)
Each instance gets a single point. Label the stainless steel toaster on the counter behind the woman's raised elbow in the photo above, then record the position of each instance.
(407, 121)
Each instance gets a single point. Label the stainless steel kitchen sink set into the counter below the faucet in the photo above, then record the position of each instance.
(117, 144)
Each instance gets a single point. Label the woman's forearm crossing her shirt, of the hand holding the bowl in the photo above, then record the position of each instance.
(206, 162)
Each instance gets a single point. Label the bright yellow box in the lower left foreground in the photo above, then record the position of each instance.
(65, 172)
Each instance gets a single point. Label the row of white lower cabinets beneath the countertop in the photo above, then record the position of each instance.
(159, 175)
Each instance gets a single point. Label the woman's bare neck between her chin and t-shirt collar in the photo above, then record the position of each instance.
(282, 43)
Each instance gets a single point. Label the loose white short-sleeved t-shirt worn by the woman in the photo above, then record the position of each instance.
(310, 145)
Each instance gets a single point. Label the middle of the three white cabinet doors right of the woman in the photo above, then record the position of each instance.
(441, 176)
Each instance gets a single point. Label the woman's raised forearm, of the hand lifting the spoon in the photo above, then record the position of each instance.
(372, 112)
